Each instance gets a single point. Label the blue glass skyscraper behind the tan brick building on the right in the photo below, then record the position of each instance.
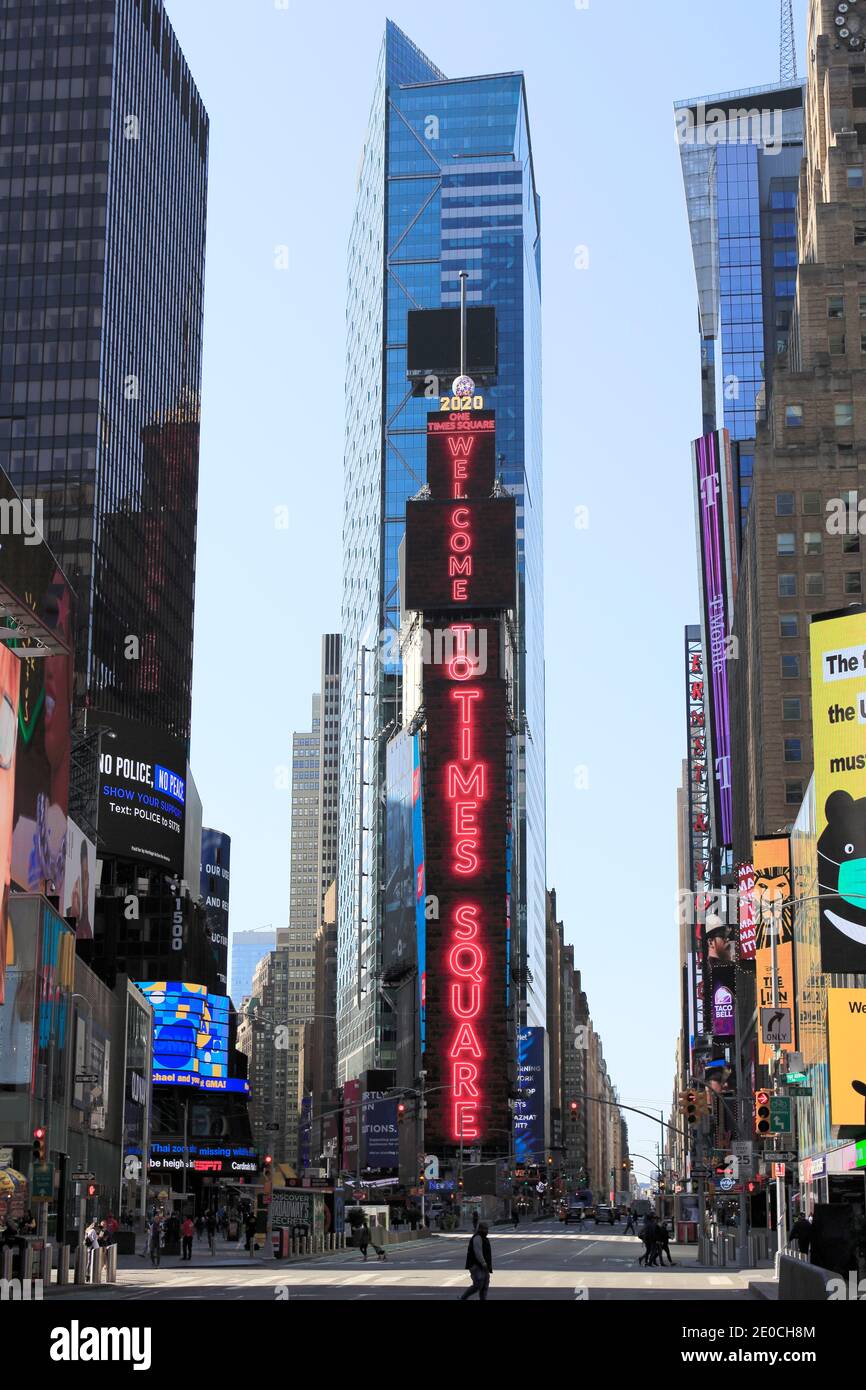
(742, 180)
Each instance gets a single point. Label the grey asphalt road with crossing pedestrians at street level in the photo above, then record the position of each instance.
(541, 1260)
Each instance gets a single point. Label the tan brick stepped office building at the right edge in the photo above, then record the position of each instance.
(803, 550)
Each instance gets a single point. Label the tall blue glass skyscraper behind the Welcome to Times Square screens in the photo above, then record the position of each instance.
(447, 184)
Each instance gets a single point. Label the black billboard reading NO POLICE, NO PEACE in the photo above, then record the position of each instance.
(142, 793)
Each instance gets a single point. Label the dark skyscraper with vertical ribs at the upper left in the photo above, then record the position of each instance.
(104, 183)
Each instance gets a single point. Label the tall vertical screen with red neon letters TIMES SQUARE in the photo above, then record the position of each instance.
(466, 828)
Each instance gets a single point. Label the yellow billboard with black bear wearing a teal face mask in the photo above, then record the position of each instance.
(839, 718)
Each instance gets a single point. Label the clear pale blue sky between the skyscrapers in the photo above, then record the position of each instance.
(288, 90)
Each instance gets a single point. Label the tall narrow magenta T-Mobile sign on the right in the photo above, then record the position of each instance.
(718, 571)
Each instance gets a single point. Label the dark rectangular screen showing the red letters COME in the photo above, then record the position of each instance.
(461, 555)
